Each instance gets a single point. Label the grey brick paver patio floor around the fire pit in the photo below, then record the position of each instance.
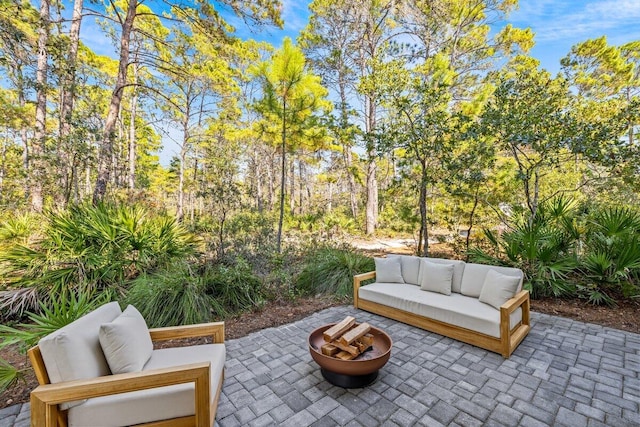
(565, 373)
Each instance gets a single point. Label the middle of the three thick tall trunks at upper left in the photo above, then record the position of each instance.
(67, 95)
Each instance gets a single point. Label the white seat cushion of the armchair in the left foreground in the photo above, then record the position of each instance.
(154, 404)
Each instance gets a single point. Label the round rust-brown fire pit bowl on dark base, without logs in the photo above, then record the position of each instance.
(355, 373)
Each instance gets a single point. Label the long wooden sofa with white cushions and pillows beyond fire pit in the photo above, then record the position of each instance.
(478, 304)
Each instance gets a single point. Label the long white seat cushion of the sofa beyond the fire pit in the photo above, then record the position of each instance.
(454, 309)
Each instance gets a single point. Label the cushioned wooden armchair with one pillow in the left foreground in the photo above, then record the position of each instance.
(103, 370)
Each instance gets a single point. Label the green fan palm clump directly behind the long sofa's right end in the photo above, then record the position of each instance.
(543, 247)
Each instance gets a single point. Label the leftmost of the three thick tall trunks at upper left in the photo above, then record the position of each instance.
(37, 171)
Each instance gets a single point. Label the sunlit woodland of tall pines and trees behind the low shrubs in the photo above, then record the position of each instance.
(396, 114)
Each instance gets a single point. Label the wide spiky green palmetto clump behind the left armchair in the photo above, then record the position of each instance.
(93, 248)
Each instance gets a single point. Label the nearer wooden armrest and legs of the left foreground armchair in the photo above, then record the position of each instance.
(46, 398)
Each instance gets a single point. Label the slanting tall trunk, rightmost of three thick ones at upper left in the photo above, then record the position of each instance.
(106, 145)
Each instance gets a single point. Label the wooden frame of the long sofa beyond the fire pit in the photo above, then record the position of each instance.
(505, 345)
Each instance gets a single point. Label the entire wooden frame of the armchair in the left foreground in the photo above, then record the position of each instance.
(46, 397)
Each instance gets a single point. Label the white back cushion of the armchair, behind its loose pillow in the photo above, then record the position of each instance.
(73, 352)
